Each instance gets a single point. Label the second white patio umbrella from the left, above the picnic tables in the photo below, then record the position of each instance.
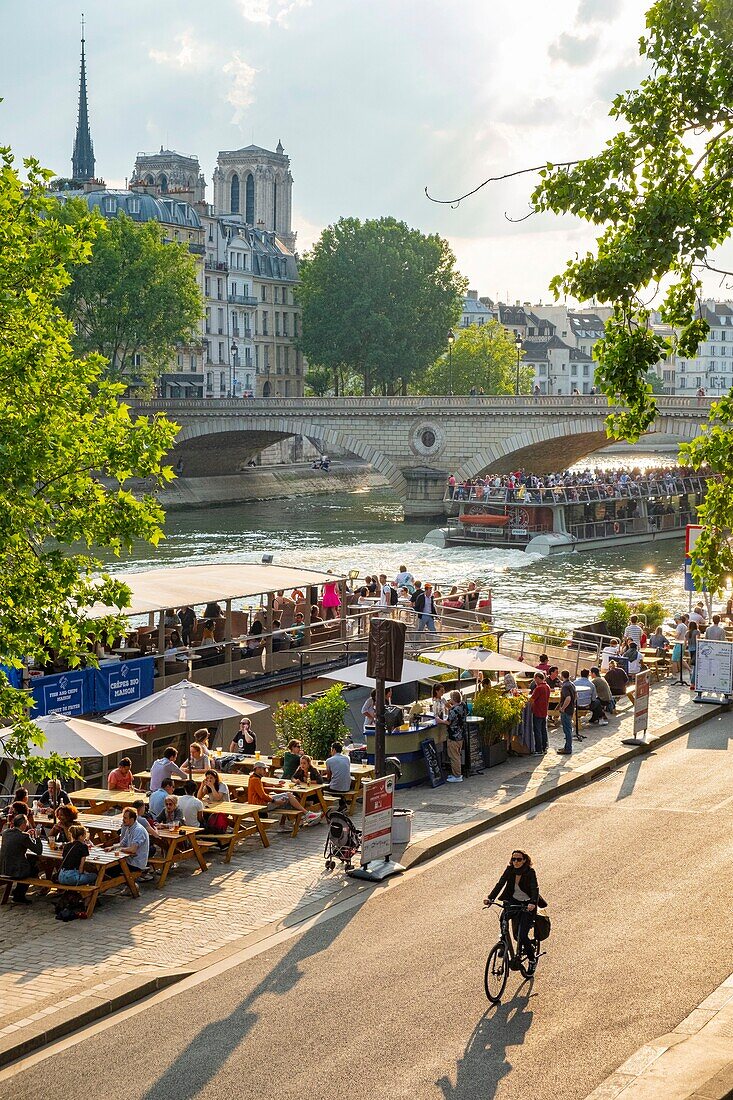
(185, 702)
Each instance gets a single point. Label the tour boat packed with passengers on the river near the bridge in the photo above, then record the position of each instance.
(565, 519)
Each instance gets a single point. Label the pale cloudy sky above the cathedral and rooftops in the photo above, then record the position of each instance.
(375, 101)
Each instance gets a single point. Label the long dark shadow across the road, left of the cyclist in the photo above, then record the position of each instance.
(217, 1041)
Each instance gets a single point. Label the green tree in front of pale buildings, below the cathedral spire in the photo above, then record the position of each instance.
(137, 296)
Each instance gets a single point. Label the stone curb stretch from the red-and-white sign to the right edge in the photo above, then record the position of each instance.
(458, 834)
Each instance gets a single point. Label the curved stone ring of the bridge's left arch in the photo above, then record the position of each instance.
(272, 430)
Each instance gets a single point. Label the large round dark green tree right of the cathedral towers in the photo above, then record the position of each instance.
(378, 300)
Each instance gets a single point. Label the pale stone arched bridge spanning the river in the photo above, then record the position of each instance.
(414, 443)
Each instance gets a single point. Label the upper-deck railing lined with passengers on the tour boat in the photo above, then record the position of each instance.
(576, 494)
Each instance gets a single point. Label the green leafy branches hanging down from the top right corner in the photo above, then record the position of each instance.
(663, 190)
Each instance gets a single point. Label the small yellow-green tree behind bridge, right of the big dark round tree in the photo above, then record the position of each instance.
(484, 358)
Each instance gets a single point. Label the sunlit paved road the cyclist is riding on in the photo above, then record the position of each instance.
(388, 1000)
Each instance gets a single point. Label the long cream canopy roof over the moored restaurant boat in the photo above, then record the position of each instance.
(159, 589)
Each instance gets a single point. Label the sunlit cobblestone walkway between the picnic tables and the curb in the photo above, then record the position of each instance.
(52, 973)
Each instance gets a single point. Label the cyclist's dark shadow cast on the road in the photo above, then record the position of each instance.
(486, 1061)
